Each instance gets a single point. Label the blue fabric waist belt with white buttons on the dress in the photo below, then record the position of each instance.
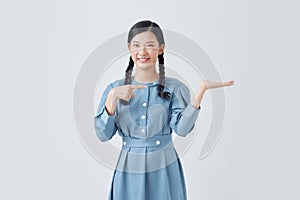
(154, 141)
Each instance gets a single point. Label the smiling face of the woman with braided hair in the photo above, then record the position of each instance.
(144, 49)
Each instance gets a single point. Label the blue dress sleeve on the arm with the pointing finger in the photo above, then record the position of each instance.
(105, 125)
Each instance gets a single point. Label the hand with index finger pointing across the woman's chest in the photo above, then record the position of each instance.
(124, 92)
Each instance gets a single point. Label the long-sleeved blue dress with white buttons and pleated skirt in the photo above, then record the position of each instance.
(148, 166)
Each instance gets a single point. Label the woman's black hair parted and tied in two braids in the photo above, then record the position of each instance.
(138, 28)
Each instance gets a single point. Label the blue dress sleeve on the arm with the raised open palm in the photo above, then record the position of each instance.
(183, 114)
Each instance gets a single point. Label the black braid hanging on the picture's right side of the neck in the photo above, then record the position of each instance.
(161, 81)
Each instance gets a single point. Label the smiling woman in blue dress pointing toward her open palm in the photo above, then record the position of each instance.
(145, 109)
